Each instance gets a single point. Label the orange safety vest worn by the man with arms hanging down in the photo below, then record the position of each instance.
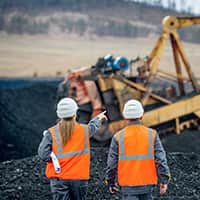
(136, 164)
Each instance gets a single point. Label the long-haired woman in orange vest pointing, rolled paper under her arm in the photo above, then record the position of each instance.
(66, 149)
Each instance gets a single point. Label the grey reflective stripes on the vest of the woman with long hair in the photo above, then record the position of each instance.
(60, 154)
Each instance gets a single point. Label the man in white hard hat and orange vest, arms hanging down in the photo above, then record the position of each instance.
(136, 158)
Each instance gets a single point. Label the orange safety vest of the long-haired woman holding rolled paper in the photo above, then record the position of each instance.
(74, 157)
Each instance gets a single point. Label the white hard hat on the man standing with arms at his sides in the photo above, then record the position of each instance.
(133, 109)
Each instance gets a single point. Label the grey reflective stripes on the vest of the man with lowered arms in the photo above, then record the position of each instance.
(150, 155)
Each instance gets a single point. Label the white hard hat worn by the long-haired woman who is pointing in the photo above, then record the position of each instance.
(66, 108)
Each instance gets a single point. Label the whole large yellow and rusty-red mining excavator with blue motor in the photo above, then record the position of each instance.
(171, 101)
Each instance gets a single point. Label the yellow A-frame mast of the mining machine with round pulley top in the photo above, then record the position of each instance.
(170, 26)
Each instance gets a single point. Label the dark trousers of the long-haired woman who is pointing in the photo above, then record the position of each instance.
(68, 189)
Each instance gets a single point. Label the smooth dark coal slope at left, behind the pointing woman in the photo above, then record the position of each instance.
(27, 107)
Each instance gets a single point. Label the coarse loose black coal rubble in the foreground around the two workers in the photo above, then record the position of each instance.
(24, 178)
